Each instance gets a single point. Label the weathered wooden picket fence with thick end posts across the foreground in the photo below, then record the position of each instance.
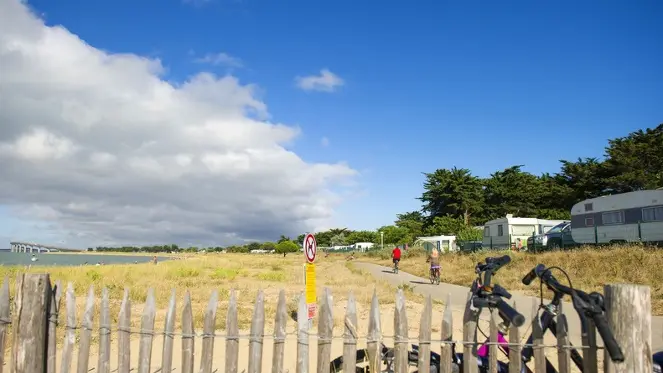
(35, 317)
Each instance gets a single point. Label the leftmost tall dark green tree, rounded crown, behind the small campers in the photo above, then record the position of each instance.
(452, 192)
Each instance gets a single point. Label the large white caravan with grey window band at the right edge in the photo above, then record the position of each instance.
(618, 218)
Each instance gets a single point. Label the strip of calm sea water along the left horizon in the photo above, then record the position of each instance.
(54, 259)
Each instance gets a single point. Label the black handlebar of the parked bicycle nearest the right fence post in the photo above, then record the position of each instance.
(590, 305)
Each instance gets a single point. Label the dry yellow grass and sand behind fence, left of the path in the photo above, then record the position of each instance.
(203, 273)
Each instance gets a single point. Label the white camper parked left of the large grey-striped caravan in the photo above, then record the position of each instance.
(503, 232)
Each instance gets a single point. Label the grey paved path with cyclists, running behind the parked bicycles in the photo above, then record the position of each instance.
(459, 297)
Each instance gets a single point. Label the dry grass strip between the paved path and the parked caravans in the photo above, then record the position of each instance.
(589, 268)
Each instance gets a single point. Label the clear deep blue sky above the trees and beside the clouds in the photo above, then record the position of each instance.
(428, 84)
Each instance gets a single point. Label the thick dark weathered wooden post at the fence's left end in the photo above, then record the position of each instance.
(30, 332)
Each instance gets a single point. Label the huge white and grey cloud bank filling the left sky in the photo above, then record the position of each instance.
(100, 146)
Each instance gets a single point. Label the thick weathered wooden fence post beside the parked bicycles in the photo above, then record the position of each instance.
(628, 308)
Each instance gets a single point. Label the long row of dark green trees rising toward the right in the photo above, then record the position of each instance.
(455, 202)
